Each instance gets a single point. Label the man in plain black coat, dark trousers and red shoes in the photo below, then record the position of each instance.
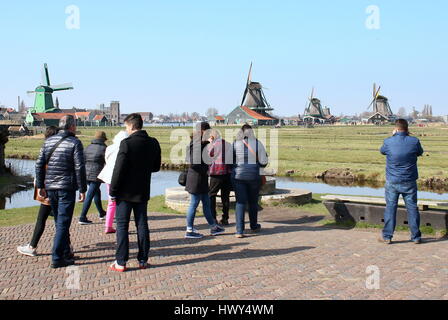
(138, 157)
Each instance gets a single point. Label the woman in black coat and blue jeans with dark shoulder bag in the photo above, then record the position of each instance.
(197, 184)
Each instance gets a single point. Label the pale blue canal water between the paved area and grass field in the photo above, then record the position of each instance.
(168, 179)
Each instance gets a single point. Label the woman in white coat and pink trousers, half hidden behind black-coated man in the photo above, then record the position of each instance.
(106, 176)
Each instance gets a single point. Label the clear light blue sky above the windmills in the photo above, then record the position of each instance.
(175, 56)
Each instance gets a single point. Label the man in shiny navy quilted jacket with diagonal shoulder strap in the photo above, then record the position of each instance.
(60, 172)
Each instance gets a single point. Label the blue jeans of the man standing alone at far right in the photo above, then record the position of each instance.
(409, 192)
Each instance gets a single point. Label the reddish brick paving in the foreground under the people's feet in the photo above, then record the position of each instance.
(292, 259)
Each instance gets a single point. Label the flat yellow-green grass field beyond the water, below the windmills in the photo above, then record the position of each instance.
(307, 151)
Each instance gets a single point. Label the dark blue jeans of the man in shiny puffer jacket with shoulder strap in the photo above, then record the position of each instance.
(63, 205)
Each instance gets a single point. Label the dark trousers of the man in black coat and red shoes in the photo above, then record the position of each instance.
(123, 216)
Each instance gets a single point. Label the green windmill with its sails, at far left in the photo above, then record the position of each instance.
(43, 101)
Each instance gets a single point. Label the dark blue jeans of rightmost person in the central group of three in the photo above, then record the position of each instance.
(246, 192)
